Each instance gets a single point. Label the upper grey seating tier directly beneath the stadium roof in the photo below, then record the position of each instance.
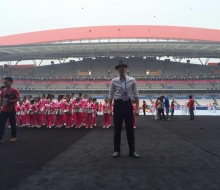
(137, 67)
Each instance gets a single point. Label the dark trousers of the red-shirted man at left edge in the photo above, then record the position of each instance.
(3, 118)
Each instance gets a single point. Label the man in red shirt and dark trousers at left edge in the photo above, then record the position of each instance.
(9, 97)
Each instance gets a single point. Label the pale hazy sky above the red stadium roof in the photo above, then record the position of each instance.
(20, 16)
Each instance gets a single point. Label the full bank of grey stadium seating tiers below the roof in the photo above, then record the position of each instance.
(93, 76)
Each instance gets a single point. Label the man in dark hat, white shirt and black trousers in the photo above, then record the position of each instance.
(122, 88)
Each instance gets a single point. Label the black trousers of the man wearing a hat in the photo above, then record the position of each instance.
(123, 111)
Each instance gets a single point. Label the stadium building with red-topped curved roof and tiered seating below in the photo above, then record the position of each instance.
(93, 51)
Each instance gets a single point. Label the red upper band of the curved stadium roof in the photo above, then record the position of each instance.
(115, 32)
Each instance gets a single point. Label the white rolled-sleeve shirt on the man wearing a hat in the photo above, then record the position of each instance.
(116, 86)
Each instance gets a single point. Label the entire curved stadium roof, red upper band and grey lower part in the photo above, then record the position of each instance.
(112, 41)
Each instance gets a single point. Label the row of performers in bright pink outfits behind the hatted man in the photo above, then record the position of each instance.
(62, 112)
